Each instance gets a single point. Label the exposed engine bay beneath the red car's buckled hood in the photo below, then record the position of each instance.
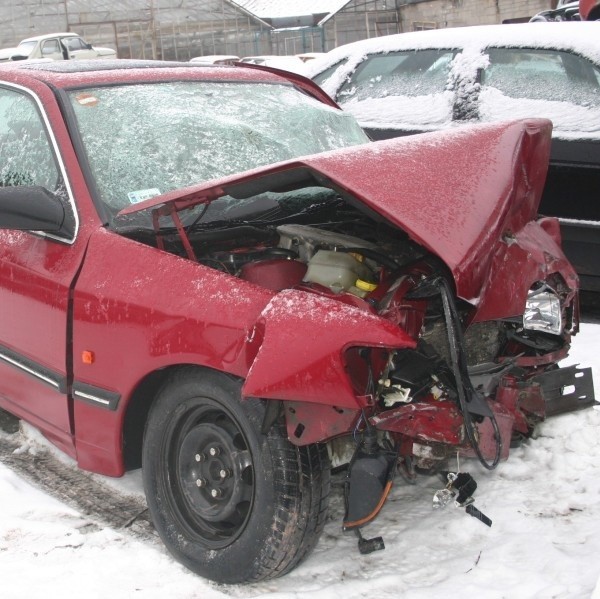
(320, 240)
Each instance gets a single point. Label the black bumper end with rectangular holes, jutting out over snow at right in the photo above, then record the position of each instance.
(566, 389)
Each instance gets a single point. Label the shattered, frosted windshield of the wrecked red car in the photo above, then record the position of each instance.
(148, 139)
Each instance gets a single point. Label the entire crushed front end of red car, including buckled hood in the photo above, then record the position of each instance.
(415, 316)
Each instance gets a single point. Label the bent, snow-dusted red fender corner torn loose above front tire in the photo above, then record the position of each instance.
(304, 337)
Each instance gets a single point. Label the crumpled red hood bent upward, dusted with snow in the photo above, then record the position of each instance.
(458, 193)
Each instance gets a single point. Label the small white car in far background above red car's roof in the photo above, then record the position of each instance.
(55, 46)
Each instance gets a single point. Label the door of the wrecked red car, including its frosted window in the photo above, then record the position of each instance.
(36, 274)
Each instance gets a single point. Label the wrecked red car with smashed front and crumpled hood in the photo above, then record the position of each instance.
(209, 272)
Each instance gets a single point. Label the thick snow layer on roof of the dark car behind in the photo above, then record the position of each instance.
(579, 37)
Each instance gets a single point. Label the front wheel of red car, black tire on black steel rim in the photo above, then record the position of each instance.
(230, 503)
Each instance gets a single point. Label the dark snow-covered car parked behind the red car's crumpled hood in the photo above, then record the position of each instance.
(441, 79)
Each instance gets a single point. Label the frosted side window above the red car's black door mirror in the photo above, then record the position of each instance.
(26, 156)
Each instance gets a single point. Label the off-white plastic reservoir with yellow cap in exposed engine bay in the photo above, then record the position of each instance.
(336, 270)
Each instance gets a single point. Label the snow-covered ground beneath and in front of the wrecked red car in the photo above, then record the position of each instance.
(544, 542)
